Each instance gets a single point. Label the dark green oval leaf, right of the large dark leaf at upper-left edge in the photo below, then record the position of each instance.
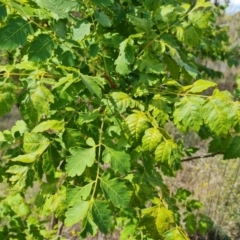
(41, 48)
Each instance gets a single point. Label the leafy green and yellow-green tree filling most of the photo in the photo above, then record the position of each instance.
(95, 82)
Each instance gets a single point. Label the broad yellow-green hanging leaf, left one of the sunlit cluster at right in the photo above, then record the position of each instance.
(188, 113)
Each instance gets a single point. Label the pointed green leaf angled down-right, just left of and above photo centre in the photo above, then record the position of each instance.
(93, 84)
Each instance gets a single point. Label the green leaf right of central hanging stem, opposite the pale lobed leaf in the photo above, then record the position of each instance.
(120, 160)
